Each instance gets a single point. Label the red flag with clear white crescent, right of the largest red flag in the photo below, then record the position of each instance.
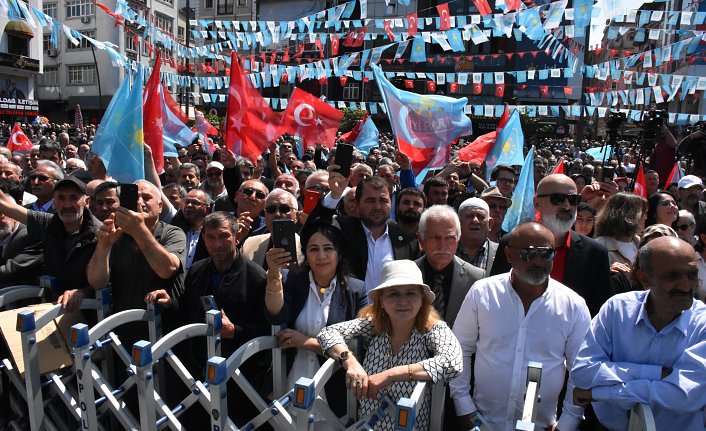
(314, 120)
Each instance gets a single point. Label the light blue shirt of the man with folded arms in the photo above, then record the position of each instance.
(622, 357)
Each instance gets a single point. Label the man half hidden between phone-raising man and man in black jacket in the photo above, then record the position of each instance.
(196, 206)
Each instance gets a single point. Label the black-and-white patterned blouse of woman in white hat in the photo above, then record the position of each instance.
(438, 351)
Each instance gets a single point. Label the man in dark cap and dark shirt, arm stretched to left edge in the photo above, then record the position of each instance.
(68, 237)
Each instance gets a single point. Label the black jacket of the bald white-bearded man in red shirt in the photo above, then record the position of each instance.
(587, 269)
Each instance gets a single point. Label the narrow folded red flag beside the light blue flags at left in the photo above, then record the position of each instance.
(152, 116)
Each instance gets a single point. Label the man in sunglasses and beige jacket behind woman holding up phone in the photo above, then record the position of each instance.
(279, 205)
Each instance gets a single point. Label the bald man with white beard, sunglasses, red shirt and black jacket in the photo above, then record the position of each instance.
(581, 262)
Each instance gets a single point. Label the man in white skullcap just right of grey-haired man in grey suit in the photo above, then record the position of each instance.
(474, 246)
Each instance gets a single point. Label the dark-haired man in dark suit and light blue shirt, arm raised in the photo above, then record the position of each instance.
(373, 231)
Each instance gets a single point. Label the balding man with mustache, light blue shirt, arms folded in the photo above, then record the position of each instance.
(648, 346)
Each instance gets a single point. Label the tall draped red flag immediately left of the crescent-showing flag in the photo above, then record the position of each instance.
(251, 124)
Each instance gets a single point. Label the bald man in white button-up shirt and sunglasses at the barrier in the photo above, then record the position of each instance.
(511, 319)
